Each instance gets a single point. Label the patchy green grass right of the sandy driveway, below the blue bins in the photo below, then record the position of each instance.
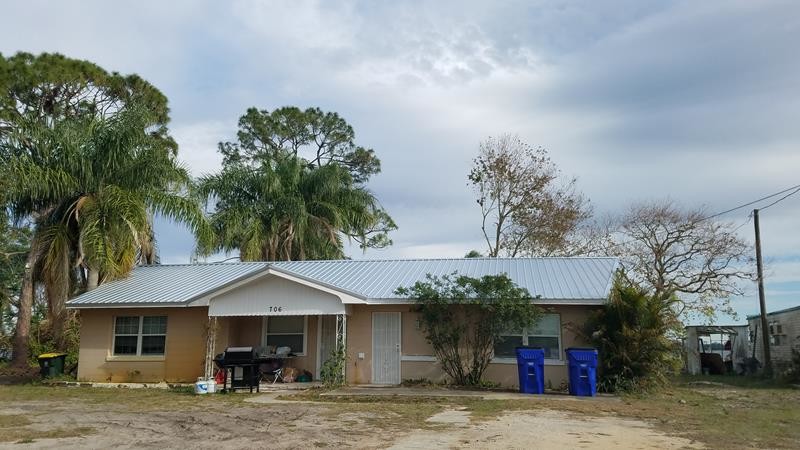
(720, 412)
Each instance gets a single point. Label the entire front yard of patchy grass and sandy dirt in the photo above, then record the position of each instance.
(715, 413)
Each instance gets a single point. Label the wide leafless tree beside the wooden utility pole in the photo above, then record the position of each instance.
(676, 252)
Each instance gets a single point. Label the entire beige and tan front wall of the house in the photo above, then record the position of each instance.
(185, 346)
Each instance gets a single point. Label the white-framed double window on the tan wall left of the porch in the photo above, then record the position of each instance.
(140, 335)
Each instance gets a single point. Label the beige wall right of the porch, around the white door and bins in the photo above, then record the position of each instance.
(413, 344)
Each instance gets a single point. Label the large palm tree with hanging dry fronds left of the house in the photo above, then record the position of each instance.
(94, 186)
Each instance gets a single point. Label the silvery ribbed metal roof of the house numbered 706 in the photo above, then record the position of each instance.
(374, 280)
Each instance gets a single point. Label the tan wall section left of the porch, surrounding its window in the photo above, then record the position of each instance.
(184, 354)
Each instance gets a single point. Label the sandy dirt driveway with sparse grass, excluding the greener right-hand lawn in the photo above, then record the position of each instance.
(48, 417)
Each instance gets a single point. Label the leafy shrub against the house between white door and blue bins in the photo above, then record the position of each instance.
(463, 317)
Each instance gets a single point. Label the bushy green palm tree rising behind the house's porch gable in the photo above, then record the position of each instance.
(286, 209)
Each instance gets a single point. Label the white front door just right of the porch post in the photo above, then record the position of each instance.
(386, 348)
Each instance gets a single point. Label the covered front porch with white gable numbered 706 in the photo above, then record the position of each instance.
(290, 322)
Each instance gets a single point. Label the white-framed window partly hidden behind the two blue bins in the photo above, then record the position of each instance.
(546, 334)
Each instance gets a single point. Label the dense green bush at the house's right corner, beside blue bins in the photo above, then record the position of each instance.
(631, 334)
